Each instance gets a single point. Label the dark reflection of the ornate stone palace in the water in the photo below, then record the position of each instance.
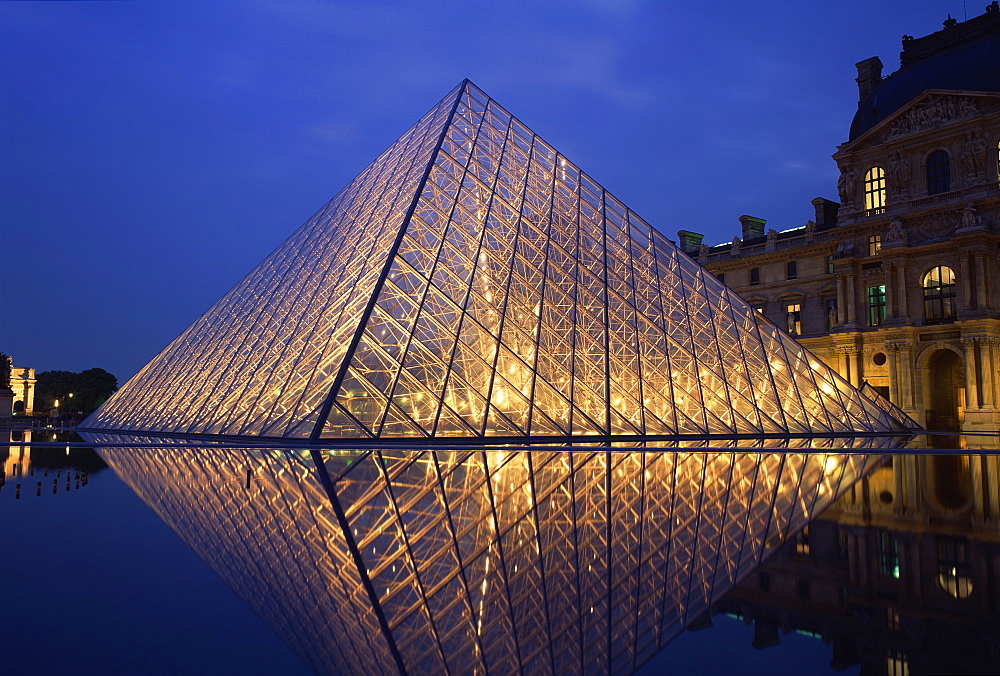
(902, 574)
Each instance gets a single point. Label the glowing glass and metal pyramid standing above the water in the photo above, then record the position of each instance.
(473, 282)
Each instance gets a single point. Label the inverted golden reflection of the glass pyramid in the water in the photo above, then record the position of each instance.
(498, 561)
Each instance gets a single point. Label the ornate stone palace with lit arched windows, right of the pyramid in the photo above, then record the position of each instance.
(898, 285)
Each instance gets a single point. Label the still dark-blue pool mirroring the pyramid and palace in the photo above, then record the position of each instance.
(479, 540)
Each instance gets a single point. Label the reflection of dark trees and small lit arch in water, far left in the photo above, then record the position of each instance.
(40, 470)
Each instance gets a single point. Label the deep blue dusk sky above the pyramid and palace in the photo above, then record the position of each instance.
(152, 152)
